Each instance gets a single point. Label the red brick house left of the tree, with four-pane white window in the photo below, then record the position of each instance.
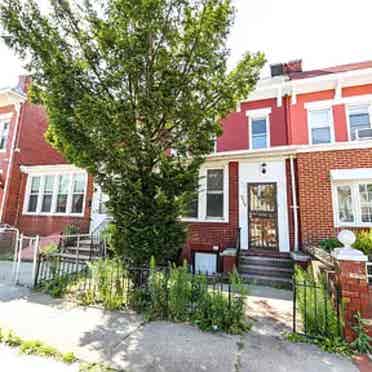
(40, 193)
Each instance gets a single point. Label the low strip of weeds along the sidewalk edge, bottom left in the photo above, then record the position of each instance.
(34, 347)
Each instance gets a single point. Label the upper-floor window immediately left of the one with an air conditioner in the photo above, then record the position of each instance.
(320, 124)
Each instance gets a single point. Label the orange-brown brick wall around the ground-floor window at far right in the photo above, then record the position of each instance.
(314, 186)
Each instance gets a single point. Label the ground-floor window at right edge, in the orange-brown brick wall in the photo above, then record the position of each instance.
(353, 203)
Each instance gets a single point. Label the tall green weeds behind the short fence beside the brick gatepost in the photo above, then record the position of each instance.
(316, 306)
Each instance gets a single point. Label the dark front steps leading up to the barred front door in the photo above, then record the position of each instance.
(265, 270)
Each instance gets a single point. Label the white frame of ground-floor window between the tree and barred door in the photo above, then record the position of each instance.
(202, 196)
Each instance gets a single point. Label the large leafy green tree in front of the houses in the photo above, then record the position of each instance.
(124, 81)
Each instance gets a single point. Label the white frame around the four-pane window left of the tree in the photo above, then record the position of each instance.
(56, 174)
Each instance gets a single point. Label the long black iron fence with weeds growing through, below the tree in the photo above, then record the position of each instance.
(115, 284)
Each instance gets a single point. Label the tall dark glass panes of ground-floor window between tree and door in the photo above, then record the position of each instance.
(215, 193)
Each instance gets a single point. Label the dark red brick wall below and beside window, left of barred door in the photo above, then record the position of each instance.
(204, 235)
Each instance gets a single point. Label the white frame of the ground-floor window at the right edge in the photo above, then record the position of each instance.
(356, 203)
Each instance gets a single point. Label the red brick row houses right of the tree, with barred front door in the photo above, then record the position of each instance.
(293, 166)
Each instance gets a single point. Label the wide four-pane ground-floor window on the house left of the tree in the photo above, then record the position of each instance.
(56, 194)
